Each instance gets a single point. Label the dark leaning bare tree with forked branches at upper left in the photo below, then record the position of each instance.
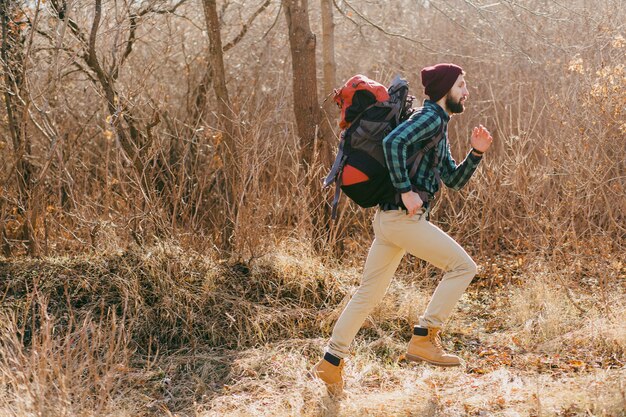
(135, 134)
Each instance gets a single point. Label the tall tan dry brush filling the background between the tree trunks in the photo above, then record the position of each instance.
(546, 78)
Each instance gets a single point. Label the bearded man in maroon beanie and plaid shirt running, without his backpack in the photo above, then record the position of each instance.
(405, 227)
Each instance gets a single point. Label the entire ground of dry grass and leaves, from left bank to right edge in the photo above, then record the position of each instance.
(533, 342)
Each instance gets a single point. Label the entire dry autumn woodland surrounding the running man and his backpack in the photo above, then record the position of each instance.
(166, 246)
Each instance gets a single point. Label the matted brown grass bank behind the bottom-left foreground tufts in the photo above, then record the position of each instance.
(193, 299)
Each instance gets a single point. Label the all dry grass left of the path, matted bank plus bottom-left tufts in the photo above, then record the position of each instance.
(85, 336)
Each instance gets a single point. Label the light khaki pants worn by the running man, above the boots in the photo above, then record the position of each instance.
(395, 234)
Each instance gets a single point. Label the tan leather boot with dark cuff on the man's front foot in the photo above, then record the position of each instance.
(425, 345)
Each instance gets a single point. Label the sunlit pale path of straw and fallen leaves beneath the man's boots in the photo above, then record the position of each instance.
(527, 349)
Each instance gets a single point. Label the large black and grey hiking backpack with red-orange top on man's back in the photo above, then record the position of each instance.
(369, 112)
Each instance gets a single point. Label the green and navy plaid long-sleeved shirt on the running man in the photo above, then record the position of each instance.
(412, 135)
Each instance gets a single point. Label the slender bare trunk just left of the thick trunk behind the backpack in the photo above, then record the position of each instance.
(218, 76)
